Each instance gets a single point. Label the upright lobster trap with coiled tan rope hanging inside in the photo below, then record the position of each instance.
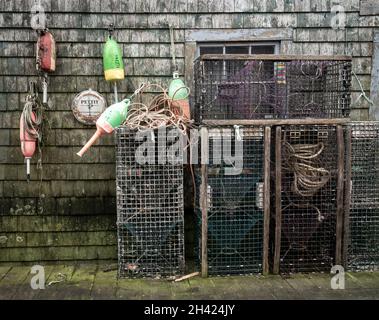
(309, 201)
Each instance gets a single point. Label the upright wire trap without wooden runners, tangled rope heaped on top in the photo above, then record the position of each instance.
(150, 218)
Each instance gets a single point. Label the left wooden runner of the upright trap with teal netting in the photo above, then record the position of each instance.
(204, 202)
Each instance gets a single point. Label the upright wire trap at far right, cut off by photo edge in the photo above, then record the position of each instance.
(363, 237)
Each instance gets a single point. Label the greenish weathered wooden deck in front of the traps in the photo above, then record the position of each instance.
(89, 281)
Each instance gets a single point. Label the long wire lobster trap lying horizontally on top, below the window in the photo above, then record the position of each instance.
(271, 86)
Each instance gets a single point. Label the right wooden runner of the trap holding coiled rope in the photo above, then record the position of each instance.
(340, 193)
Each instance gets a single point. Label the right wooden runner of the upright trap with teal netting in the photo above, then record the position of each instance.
(266, 199)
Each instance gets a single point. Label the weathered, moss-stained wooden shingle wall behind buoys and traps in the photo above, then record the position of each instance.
(75, 217)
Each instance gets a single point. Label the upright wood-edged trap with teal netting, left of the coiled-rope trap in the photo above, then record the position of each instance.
(231, 208)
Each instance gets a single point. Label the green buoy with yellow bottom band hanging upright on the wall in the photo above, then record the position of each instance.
(112, 61)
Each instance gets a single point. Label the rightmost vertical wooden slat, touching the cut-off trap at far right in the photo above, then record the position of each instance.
(346, 224)
